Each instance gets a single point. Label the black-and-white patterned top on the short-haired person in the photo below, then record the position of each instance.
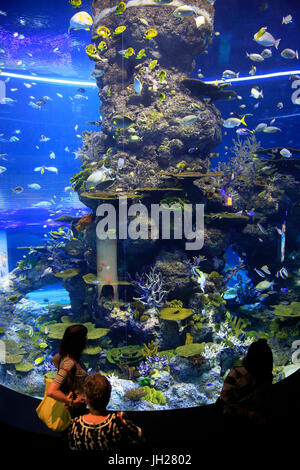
(108, 436)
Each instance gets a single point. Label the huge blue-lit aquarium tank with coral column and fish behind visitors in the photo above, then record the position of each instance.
(149, 189)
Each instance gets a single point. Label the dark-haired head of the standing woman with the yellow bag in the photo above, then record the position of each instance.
(73, 342)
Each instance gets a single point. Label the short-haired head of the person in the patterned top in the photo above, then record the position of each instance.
(97, 390)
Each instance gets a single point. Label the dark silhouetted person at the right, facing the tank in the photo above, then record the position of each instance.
(246, 388)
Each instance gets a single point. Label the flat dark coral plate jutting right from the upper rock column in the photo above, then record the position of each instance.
(214, 92)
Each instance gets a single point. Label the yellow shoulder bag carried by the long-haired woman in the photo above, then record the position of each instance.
(52, 412)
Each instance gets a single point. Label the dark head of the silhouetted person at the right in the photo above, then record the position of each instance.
(259, 360)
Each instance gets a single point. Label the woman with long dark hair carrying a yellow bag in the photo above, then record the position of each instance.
(67, 386)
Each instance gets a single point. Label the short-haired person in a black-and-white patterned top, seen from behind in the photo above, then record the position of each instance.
(100, 430)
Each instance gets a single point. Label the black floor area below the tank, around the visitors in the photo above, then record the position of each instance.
(194, 431)
